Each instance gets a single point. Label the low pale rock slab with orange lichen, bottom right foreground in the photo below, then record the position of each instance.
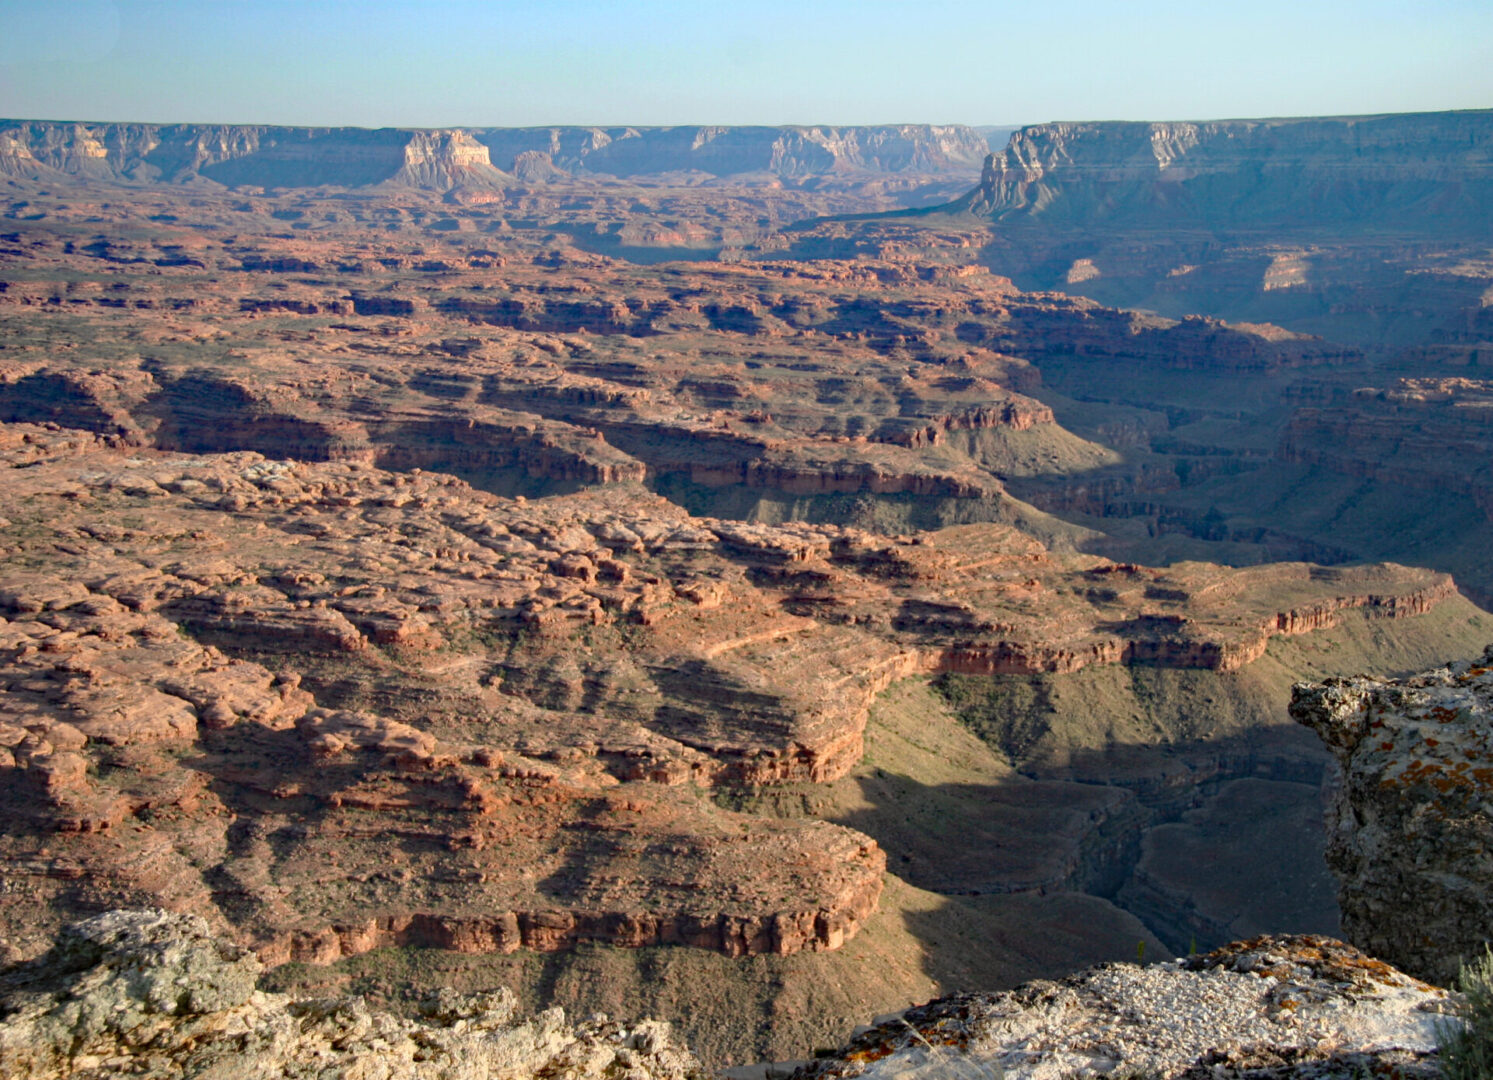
(1271, 1008)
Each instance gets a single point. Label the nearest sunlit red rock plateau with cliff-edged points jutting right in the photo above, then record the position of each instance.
(526, 695)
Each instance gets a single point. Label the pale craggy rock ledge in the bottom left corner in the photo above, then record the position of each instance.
(153, 996)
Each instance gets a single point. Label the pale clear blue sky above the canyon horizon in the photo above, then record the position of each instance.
(770, 62)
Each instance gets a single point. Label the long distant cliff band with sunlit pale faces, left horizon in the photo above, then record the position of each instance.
(444, 161)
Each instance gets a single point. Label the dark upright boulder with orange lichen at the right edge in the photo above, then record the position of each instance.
(1413, 824)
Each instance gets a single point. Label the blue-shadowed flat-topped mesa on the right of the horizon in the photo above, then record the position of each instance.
(1419, 171)
